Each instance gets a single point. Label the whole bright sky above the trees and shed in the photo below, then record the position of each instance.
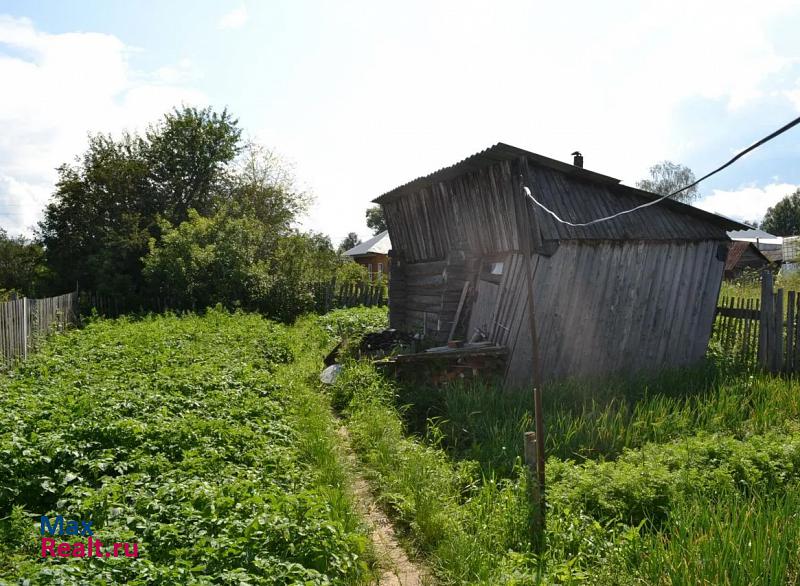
(363, 96)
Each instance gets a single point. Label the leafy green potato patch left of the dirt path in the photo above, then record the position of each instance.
(197, 437)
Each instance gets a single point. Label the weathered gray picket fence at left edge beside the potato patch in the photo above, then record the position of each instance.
(25, 322)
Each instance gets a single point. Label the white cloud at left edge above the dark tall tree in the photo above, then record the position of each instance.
(62, 87)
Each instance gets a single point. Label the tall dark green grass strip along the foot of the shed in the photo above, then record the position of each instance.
(483, 423)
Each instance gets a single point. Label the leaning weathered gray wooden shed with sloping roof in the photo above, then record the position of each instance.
(634, 293)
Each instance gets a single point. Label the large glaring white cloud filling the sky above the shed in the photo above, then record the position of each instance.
(607, 80)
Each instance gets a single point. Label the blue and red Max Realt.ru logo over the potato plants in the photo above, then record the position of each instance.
(78, 549)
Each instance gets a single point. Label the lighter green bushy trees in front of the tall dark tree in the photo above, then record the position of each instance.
(208, 260)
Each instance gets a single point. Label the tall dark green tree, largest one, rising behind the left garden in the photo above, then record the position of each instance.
(106, 204)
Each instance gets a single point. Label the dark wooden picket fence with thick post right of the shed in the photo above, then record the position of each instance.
(761, 332)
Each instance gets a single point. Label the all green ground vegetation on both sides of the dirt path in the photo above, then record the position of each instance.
(209, 441)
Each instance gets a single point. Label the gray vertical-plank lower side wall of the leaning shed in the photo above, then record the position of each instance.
(611, 307)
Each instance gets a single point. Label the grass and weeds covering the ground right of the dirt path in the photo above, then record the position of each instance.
(692, 478)
